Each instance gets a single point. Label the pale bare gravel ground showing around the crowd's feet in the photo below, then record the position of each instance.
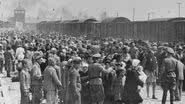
(11, 94)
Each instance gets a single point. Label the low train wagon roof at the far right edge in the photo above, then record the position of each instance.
(168, 19)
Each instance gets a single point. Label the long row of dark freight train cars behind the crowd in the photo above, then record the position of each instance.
(164, 29)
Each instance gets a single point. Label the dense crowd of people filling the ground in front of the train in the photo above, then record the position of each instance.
(77, 70)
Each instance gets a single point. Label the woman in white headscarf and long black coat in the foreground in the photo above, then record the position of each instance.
(131, 93)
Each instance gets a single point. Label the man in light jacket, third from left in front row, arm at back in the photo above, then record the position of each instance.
(51, 82)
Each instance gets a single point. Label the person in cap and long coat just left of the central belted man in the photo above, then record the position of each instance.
(73, 95)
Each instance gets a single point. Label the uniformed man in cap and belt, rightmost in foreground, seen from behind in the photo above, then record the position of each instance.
(168, 75)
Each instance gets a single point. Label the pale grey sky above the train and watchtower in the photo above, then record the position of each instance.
(70, 9)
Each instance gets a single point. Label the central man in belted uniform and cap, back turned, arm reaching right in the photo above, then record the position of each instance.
(95, 71)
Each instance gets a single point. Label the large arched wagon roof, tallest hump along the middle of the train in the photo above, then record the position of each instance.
(115, 20)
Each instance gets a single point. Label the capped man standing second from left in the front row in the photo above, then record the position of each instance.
(36, 78)
